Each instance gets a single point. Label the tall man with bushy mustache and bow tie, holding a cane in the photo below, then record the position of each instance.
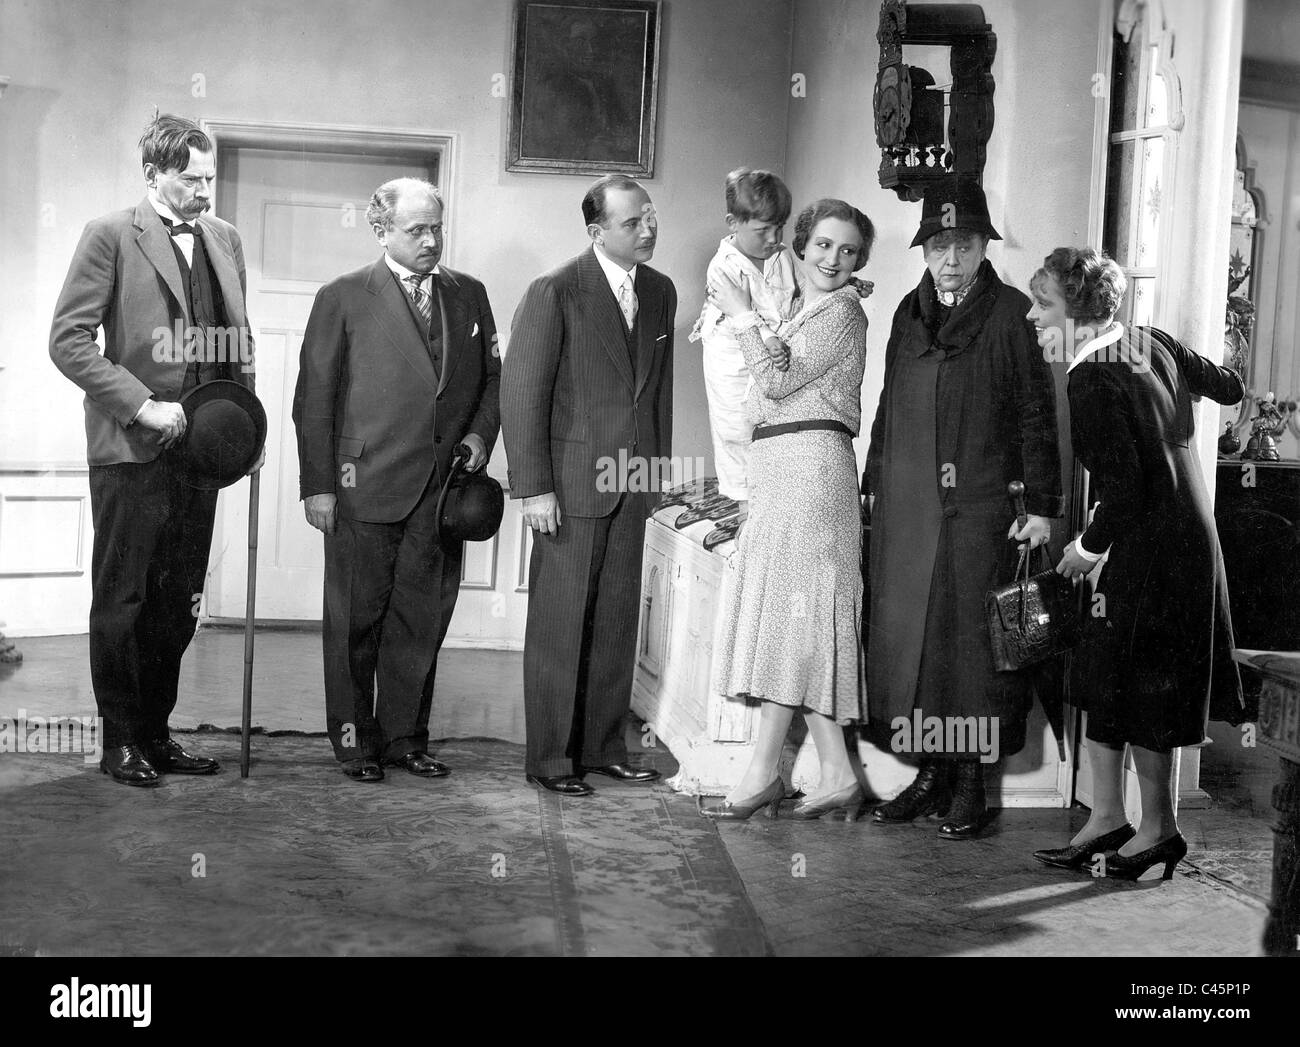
(142, 274)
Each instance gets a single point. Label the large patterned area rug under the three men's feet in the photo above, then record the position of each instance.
(298, 860)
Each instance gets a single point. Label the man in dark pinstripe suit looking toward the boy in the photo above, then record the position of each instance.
(588, 375)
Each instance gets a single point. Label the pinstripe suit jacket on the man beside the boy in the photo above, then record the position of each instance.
(570, 393)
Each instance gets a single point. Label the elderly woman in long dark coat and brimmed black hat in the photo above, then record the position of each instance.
(968, 406)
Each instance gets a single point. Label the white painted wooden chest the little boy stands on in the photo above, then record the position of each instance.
(683, 594)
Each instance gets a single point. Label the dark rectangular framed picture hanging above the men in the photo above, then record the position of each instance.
(584, 86)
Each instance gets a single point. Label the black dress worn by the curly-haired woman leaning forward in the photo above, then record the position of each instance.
(1156, 659)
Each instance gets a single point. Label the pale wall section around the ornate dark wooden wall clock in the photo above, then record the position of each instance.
(1038, 174)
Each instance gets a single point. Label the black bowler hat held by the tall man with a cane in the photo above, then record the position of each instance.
(226, 427)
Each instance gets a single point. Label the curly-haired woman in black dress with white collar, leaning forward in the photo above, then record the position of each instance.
(1156, 659)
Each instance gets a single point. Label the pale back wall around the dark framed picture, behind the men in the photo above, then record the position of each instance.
(88, 75)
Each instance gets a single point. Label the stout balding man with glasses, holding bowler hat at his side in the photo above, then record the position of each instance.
(400, 366)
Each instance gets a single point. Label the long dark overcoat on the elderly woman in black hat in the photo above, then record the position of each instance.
(968, 406)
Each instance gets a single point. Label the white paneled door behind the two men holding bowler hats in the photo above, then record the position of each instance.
(301, 214)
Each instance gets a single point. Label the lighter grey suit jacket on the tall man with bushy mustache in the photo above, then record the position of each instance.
(125, 279)
